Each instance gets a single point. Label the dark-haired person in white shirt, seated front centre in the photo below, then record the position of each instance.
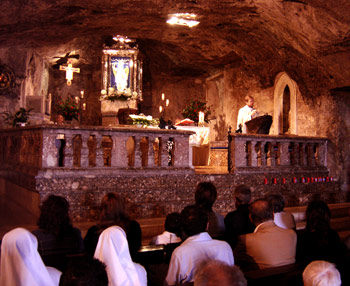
(197, 247)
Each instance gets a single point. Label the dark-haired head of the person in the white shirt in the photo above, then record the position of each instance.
(194, 220)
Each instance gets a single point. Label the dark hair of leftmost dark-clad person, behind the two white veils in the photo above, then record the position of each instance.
(54, 216)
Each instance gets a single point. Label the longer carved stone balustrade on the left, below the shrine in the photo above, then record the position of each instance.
(52, 146)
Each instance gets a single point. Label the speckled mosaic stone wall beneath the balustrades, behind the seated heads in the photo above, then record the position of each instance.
(158, 195)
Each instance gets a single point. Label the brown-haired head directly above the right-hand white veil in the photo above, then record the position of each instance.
(112, 208)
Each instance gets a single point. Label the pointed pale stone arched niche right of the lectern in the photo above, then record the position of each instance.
(283, 85)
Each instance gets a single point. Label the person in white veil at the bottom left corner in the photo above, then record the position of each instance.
(21, 264)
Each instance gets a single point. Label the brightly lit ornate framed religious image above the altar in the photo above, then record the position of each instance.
(121, 71)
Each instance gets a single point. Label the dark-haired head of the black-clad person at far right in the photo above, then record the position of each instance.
(318, 216)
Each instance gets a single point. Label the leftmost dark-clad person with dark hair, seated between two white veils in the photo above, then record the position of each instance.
(56, 236)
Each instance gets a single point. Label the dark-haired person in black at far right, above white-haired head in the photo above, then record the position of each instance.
(318, 241)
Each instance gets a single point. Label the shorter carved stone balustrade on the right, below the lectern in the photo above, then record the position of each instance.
(266, 152)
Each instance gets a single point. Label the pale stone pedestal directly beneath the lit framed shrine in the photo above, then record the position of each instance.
(109, 110)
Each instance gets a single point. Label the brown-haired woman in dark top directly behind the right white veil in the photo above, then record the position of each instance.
(112, 212)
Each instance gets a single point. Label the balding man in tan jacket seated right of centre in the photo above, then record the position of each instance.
(269, 245)
